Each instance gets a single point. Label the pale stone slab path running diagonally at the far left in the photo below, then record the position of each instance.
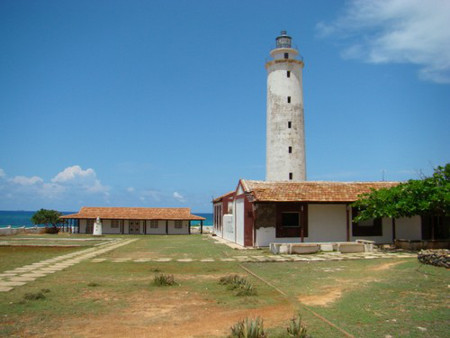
(28, 273)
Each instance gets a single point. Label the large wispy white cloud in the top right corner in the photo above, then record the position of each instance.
(396, 31)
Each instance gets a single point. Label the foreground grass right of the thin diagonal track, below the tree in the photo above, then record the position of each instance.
(395, 301)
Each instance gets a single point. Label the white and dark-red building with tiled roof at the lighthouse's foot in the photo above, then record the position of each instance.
(258, 213)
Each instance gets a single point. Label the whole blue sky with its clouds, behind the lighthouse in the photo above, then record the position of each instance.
(163, 103)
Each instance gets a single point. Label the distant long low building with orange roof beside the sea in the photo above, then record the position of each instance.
(145, 221)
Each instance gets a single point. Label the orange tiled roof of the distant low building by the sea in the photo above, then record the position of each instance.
(135, 213)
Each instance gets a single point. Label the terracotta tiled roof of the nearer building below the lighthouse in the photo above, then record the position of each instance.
(309, 191)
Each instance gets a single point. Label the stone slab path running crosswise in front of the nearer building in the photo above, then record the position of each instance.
(326, 256)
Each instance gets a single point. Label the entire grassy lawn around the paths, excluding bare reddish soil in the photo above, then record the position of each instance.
(373, 302)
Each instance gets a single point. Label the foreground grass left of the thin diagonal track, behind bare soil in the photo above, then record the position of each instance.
(117, 286)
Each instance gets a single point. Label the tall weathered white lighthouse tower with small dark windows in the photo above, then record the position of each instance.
(285, 149)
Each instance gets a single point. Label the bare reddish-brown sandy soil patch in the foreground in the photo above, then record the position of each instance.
(166, 314)
